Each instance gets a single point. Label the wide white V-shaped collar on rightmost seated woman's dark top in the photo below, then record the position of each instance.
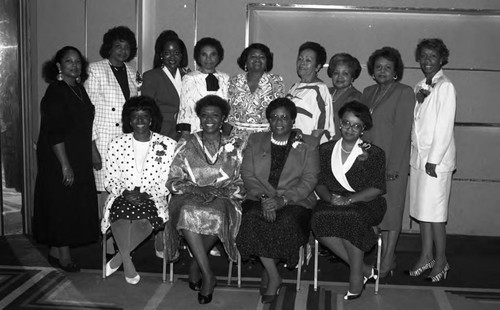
(338, 169)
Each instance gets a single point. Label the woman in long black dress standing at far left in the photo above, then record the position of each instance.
(65, 211)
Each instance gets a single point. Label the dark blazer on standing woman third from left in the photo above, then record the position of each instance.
(158, 86)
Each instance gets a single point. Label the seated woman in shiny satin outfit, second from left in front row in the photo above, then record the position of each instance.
(205, 178)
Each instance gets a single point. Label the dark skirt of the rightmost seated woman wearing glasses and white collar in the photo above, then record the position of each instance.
(353, 223)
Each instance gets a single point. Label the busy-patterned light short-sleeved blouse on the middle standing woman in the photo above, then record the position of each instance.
(248, 110)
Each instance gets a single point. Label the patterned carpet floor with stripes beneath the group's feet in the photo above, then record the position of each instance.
(48, 288)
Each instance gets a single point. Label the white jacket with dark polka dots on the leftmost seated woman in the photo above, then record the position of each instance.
(121, 172)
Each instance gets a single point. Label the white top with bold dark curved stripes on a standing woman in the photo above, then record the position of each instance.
(314, 108)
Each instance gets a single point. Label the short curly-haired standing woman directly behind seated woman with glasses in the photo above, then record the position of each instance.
(343, 69)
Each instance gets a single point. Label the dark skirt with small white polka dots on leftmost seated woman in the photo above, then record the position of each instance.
(124, 210)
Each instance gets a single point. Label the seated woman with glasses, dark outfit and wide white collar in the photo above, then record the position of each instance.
(350, 188)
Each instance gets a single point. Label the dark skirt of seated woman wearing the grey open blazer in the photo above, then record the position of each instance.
(279, 240)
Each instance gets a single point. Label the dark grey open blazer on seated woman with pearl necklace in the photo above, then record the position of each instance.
(299, 176)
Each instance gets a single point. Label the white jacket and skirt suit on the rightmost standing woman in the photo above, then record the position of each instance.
(433, 142)
